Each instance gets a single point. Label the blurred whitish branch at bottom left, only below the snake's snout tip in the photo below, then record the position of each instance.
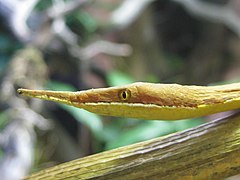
(17, 140)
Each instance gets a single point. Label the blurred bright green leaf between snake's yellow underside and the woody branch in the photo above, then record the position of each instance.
(145, 130)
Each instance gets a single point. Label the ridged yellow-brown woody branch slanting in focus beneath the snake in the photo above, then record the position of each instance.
(209, 151)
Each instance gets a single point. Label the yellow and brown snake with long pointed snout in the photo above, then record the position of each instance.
(149, 101)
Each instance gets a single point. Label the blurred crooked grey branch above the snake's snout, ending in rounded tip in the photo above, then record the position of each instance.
(59, 27)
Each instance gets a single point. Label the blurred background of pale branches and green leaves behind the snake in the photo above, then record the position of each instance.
(81, 44)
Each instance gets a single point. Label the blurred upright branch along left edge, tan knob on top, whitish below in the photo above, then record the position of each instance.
(17, 137)
